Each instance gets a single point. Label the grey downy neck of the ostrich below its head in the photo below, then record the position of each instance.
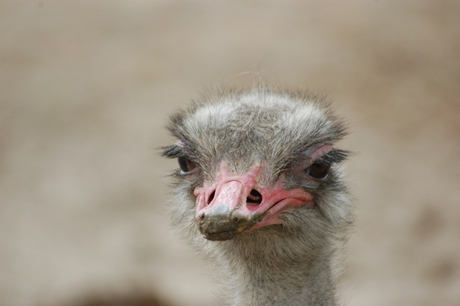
(257, 279)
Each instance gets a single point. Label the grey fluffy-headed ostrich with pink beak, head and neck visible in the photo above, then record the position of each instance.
(261, 193)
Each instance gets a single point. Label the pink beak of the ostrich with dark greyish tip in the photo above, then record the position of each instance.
(236, 203)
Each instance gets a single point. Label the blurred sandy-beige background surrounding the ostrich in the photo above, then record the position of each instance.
(86, 88)
